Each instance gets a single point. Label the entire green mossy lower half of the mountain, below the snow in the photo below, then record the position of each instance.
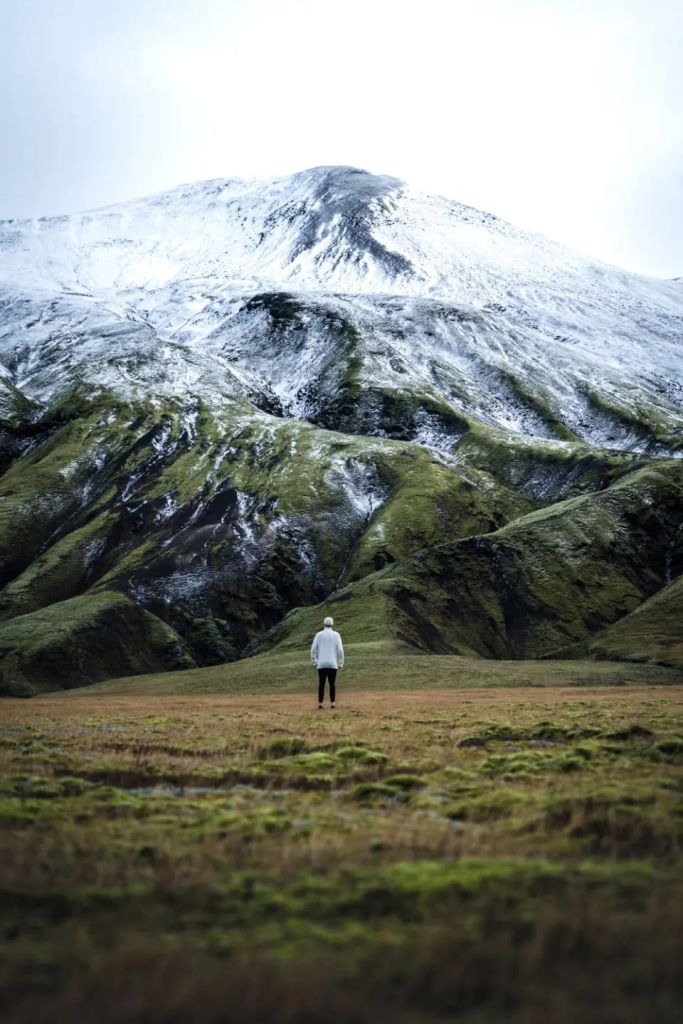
(139, 536)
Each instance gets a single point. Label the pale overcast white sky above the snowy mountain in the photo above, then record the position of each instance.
(563, 116)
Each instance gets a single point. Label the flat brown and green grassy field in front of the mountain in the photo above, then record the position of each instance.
(420, 856)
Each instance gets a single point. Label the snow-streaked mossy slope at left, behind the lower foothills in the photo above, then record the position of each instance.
(220, 523)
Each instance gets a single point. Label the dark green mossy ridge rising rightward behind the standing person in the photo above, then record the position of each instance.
(552, 578)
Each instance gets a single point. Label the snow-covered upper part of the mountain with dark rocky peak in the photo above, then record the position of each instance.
(290, 292)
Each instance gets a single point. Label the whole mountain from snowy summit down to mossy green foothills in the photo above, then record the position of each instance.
(237, 399)
